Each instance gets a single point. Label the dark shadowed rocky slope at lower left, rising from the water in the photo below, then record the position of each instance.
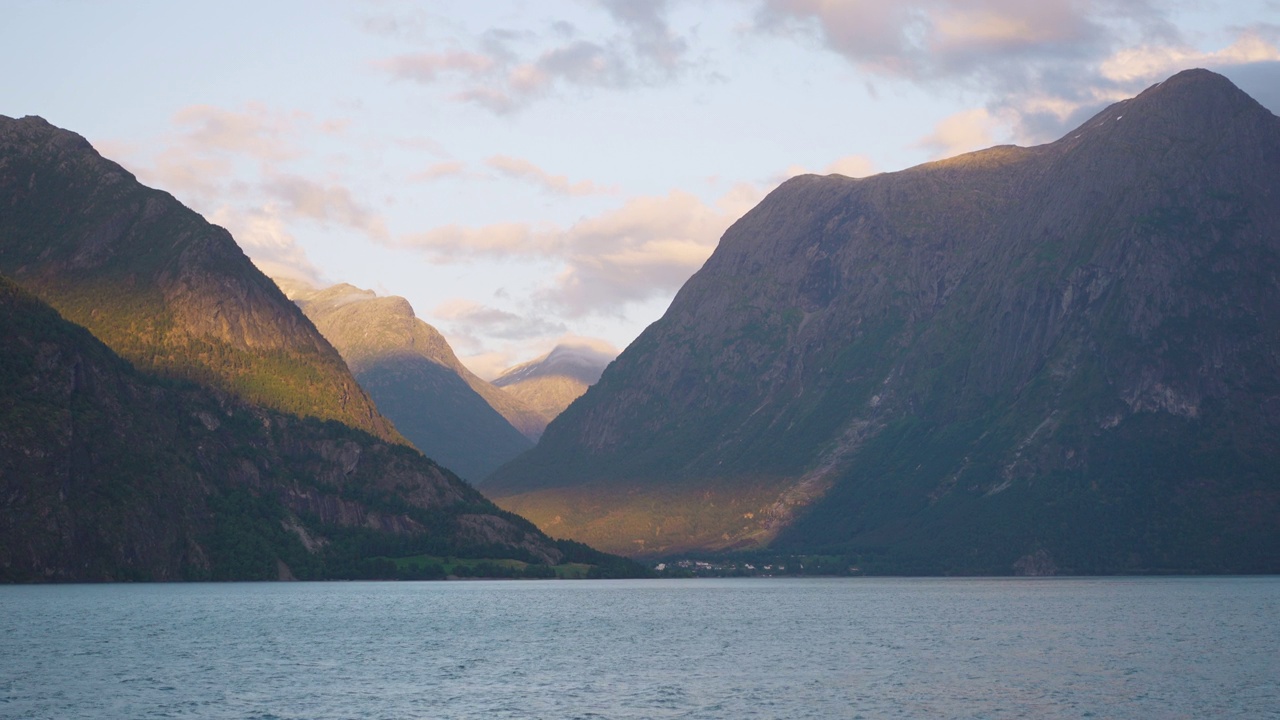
(112, 475)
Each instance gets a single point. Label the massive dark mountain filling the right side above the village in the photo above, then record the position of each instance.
(1020, 361)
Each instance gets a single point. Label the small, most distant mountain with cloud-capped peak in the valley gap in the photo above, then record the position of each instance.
(552, 382)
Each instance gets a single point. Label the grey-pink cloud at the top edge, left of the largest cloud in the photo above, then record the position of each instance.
(506, 71)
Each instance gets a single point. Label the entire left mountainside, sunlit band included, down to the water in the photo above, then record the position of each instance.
(170, 414)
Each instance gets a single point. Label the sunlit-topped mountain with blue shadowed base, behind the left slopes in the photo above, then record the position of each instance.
(418, 382)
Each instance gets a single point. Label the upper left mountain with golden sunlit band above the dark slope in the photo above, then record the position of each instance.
(161, 286)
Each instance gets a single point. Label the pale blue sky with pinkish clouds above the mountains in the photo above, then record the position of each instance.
(529, 172)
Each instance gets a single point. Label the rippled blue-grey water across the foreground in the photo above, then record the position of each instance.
(1178, 648)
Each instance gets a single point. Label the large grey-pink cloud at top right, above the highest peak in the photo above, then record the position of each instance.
(1043, 66)
